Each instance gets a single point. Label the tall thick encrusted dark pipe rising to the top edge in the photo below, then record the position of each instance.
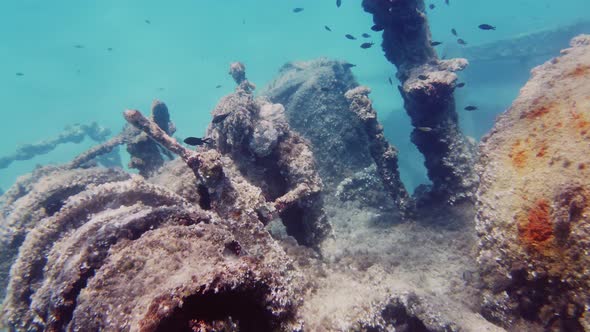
(427, 86)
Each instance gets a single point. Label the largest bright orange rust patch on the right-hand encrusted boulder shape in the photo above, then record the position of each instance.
(537, 228)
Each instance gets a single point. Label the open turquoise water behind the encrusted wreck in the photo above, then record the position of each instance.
(184, 53)
